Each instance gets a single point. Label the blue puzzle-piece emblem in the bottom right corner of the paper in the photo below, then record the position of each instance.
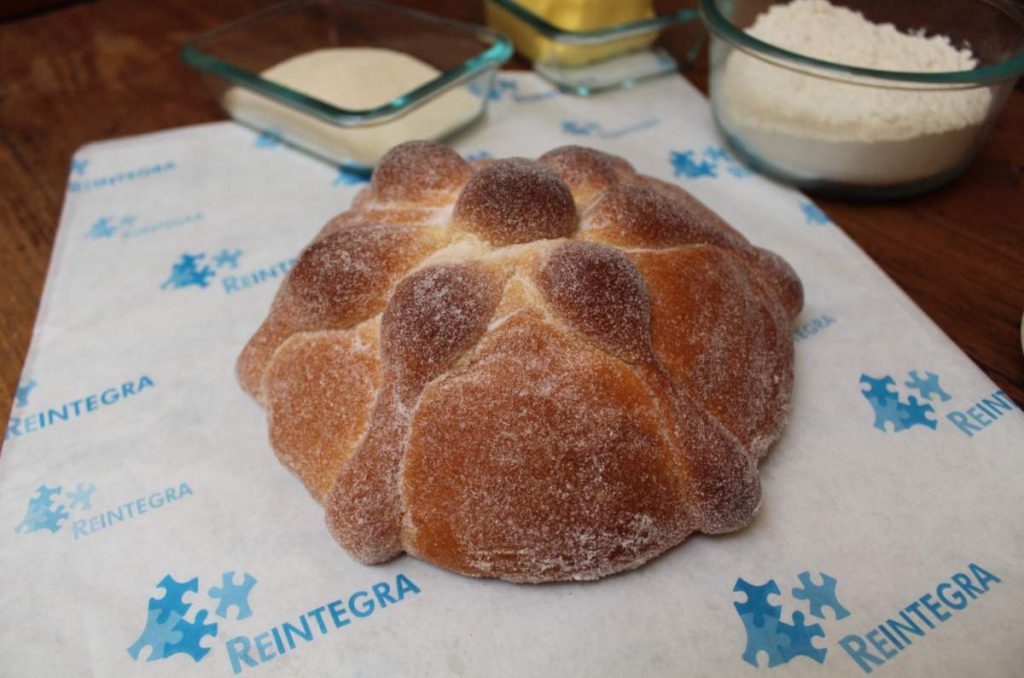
(784, 642)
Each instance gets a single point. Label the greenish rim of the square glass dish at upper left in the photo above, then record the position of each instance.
(493, 56)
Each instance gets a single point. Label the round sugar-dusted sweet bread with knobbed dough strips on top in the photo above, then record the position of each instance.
(531, 370)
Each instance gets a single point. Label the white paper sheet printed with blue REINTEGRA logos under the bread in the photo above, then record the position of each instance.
(130, 388)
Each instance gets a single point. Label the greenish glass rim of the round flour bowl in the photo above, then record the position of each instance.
(722, 28)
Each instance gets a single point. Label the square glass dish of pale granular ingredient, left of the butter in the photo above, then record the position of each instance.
(286, 71)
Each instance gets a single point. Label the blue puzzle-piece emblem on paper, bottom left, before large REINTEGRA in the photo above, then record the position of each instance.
(168, 630)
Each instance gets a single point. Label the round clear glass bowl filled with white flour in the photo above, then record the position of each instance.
(862, 99)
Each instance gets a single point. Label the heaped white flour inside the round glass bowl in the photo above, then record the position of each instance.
(817, 129)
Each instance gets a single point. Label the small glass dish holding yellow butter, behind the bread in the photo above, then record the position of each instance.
(585, 48)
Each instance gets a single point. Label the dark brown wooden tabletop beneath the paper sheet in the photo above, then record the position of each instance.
(110, 68)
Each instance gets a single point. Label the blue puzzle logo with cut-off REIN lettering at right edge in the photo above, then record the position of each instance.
(902, 405)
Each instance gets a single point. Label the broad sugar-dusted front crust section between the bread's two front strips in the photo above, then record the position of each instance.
(544, 460)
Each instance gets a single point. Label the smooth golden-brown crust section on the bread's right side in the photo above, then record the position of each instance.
(695, 334)
